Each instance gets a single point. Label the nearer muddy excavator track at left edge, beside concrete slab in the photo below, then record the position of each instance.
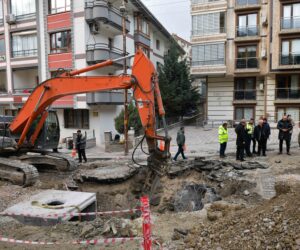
(17, 172)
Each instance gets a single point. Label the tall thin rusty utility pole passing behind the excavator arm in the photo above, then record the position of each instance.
(124, 16)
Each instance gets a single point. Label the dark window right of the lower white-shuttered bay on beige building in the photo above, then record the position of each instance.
(246, 57)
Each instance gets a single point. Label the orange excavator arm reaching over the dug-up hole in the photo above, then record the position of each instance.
(143, 82)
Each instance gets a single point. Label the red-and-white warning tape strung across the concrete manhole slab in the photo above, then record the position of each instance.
(63, 215)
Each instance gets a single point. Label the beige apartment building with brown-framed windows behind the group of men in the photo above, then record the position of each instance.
(247, 52)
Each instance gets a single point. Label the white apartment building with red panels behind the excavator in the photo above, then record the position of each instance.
(39, 39)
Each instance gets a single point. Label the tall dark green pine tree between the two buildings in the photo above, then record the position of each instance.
(178, 94)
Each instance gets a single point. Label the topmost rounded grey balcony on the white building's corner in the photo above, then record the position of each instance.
(103, 12)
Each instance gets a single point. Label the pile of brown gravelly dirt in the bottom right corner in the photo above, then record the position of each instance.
(275, 224)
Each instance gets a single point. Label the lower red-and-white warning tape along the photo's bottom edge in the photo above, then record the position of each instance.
(107, 241)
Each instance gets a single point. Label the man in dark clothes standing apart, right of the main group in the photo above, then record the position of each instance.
(284, 126)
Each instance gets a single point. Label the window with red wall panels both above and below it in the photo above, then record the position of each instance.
(60, 42)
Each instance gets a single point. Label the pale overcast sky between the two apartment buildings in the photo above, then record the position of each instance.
(173, 14)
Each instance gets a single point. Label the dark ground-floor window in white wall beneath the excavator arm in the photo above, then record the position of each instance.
(76, 118)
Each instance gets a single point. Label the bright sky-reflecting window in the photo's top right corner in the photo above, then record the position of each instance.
(291, 16)
